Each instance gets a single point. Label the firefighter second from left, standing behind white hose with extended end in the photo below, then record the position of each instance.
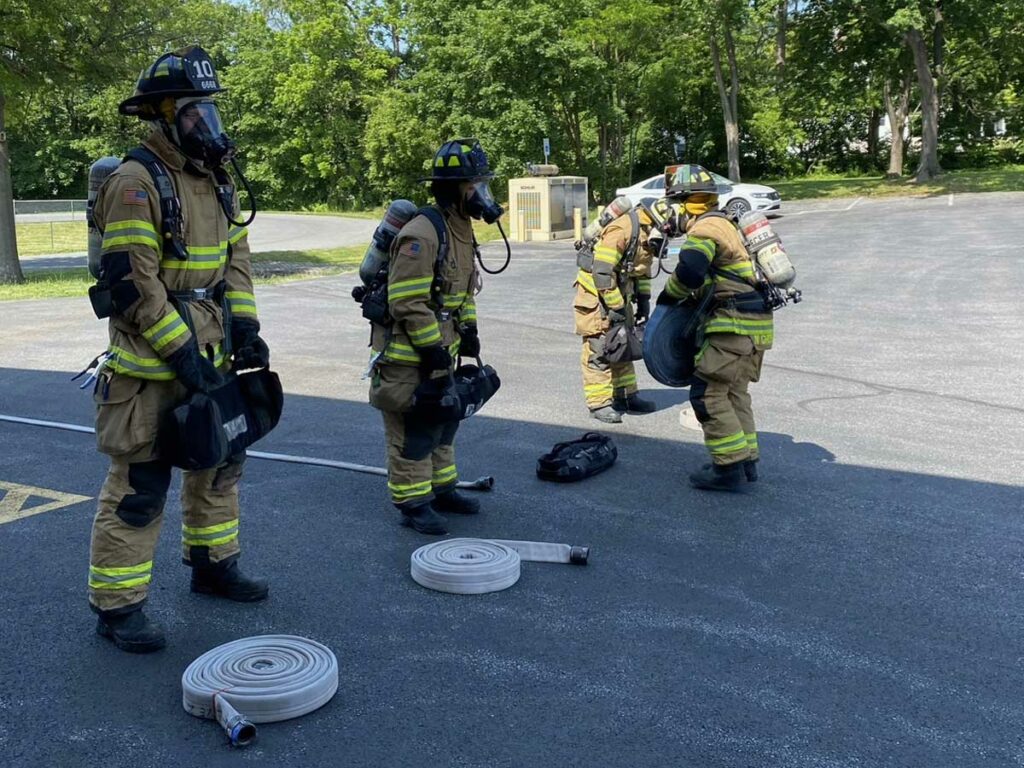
(432, 285)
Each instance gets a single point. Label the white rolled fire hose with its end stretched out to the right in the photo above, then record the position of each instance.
(474, 567)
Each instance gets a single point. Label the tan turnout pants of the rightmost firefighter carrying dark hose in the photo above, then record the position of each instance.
(721, 401)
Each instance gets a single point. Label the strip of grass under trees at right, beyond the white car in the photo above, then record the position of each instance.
(1009, 179)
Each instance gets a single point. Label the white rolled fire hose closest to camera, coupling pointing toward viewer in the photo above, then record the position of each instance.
(262, 679)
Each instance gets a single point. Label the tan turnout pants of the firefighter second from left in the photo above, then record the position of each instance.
(420, 457)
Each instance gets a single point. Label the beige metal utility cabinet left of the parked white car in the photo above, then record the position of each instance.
(546, 207)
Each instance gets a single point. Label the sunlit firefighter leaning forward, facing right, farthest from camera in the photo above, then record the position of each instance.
(613, 287)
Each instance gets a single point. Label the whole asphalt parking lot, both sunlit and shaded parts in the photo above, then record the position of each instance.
(859, 607)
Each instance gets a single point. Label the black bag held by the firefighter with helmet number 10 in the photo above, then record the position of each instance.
(210, 428)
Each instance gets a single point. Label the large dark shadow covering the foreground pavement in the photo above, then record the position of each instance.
(832, 616)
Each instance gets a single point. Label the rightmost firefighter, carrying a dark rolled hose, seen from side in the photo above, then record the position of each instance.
(736, 332)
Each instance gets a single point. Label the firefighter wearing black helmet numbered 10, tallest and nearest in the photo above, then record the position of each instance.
(170, 279)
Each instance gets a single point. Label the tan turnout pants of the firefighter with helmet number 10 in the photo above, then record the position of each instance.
(132, 502)
